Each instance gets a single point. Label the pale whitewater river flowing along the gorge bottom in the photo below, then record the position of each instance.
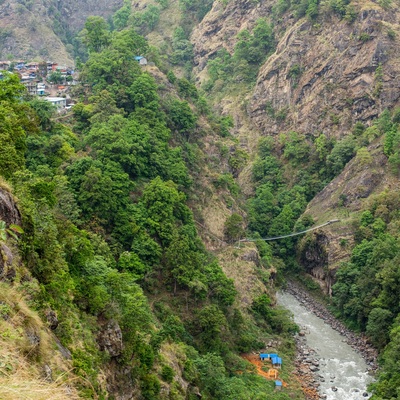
(343, 372)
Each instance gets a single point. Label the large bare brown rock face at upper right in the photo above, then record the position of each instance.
(325, 77)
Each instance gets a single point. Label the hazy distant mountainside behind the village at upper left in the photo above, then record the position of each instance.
(30, 30)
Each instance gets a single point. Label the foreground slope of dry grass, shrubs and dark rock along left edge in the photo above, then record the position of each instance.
(33, 364)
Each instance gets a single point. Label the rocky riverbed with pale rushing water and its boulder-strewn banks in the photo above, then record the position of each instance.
(323, 372)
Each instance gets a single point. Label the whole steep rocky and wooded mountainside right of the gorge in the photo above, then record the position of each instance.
(321, 101)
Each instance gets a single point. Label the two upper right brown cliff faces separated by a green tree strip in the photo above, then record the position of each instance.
(323, 76)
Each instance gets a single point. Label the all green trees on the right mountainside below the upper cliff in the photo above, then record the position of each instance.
(287, 174)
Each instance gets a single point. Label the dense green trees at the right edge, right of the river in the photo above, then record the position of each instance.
(366, 289)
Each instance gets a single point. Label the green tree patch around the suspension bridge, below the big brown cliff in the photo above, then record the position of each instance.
(290, 170)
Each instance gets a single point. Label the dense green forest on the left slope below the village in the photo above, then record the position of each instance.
(109, 236)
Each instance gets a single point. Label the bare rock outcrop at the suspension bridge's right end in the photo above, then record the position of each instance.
(322, 252)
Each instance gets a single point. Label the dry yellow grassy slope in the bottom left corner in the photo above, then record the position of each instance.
(31, 367)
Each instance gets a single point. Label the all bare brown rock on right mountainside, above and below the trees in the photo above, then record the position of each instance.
(323, 77)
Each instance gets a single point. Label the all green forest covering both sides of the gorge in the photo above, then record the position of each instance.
(109, 240)
